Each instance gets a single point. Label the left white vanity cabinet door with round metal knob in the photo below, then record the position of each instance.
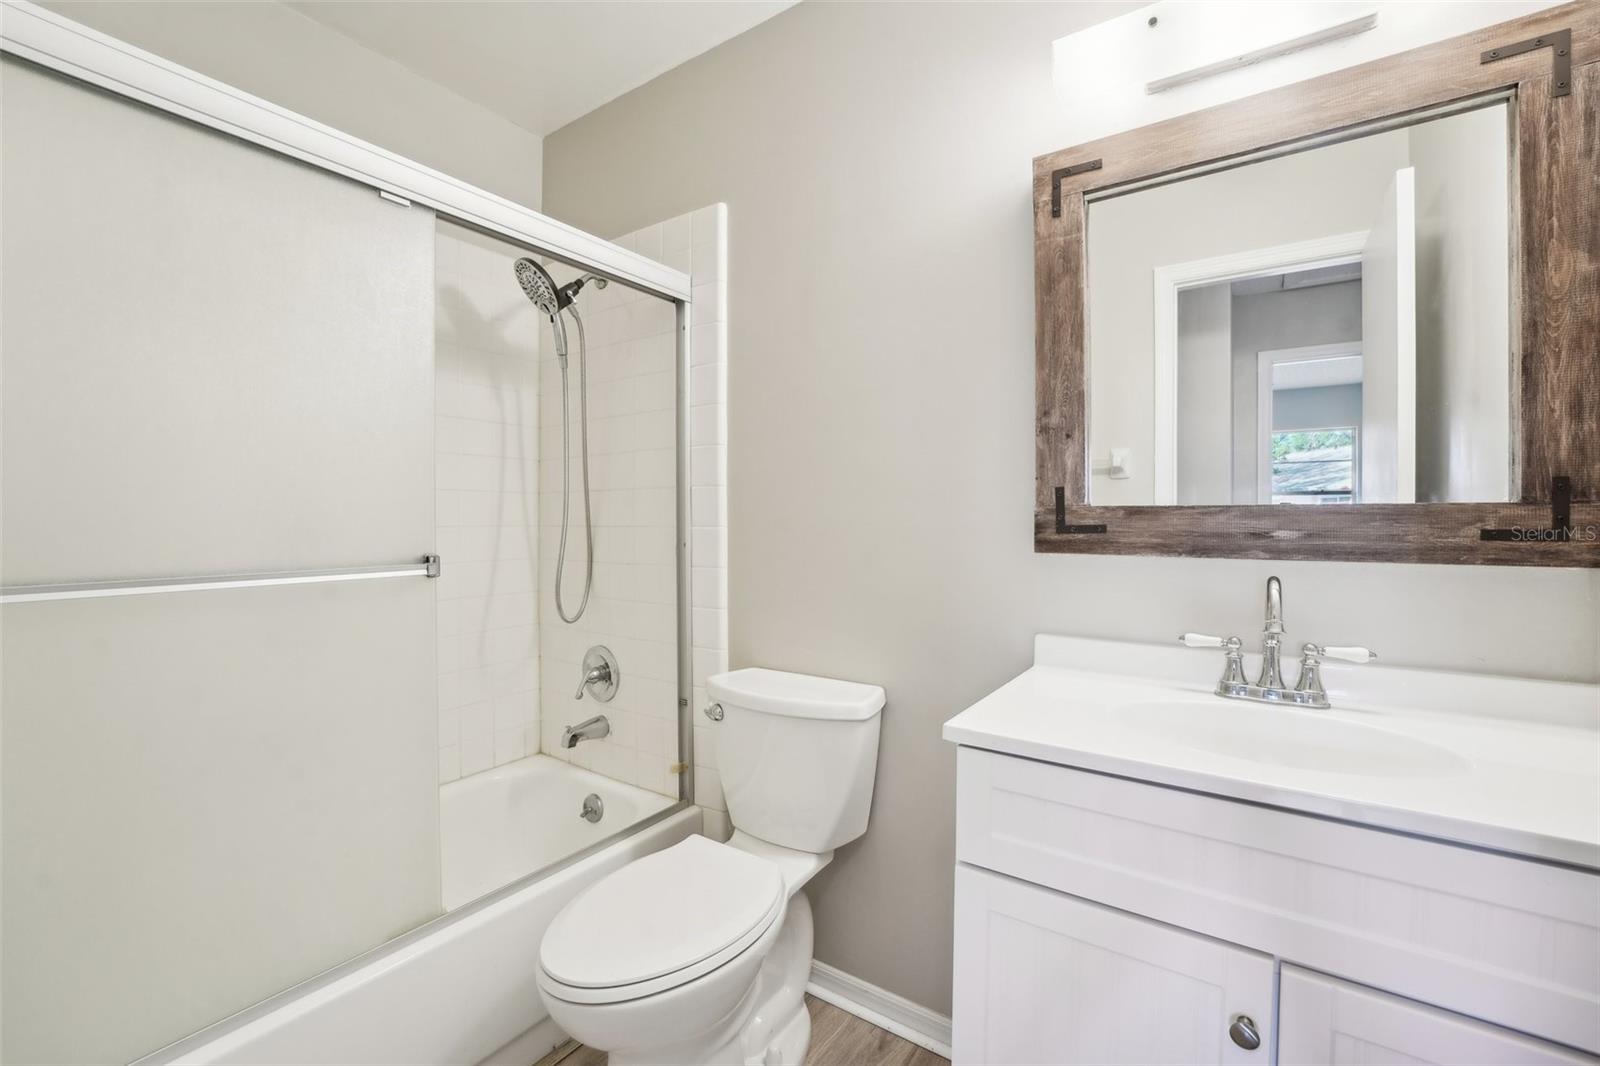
(1042, 977)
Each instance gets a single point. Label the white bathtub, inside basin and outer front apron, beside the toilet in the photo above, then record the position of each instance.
(462, 988)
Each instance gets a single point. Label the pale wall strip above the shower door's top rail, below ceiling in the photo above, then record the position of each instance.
(278, 54)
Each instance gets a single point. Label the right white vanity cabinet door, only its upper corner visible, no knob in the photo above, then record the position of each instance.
(1326, 1022)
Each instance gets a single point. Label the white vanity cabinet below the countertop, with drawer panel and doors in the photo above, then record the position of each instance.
(1102, 920)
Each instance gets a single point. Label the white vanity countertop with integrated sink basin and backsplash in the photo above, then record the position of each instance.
(1526, 775)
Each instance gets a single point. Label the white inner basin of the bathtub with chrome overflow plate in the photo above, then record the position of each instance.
(502, 825)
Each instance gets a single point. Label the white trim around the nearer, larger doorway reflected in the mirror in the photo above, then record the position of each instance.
(1172, 279)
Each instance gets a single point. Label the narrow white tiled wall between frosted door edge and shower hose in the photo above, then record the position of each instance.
(487, 423)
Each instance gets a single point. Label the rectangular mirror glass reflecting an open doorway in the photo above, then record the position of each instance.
(1324, 327)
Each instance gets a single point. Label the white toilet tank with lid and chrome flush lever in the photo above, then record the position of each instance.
(798, 756)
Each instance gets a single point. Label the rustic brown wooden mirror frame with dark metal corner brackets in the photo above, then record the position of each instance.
(1551, 63)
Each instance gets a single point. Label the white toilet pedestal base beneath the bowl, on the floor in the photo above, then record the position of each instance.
(770, 1027)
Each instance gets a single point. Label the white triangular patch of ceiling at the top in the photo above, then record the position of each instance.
(540, 63)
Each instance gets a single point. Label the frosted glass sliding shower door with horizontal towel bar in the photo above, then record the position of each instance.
(214, 361)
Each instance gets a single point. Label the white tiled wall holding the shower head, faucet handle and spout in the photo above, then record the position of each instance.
(633, 347)
